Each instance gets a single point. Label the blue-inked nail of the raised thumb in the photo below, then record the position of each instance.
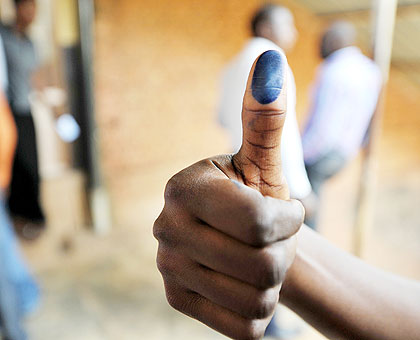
(268, 77)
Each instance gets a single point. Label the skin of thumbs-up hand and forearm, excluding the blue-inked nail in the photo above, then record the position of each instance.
(226, 248)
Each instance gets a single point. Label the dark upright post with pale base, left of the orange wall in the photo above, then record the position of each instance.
(75, 37)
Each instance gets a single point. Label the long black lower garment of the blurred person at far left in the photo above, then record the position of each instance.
(24, 199)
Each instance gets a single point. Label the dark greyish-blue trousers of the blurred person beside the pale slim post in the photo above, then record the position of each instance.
(318, 173)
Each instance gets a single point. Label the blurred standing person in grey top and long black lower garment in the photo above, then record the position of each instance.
(24, 199)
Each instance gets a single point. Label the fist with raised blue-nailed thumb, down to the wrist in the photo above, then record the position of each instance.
(226, 233)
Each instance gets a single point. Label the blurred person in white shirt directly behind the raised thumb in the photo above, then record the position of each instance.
(272, 28)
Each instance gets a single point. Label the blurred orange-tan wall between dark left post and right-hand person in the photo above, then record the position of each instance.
(158, 65)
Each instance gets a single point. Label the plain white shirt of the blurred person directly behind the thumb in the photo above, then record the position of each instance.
(233, 87)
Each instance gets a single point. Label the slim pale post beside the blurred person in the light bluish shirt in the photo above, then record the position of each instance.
(383, 16)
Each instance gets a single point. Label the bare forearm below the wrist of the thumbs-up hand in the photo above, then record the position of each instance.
(345, 298)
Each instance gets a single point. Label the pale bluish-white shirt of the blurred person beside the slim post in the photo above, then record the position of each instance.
(345, 97)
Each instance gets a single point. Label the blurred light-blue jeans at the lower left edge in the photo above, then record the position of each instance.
(19, 294)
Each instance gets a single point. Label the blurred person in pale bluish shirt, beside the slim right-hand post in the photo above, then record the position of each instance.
(346, 93)
